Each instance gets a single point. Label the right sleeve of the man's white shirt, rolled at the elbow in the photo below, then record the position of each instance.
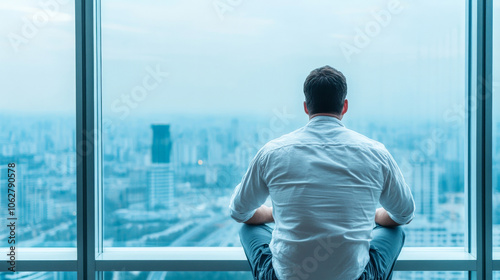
(396, 196)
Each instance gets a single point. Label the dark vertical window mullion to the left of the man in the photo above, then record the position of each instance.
(86, 128)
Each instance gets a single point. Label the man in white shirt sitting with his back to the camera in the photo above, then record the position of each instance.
(325, 182)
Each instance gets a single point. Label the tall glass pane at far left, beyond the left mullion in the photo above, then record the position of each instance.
(37, 121)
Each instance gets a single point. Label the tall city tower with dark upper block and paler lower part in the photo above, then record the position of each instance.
(161, 172)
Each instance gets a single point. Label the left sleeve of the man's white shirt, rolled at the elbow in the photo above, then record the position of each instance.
(250, 194)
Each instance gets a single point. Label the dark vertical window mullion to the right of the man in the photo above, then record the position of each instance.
(481, 107)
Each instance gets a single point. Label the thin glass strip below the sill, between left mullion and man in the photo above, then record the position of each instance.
(177, 275)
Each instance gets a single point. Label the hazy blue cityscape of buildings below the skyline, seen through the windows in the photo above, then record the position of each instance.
(167, 181)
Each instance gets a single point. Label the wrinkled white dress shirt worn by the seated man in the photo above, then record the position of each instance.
(325, 182)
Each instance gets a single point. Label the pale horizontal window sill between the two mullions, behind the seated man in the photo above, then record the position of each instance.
(233, 259)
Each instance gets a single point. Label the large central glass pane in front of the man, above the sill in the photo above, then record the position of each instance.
(207, 85)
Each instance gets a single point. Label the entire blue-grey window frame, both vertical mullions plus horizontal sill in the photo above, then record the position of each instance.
(89, 259)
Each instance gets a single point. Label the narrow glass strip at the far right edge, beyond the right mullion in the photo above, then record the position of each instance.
(496, 124)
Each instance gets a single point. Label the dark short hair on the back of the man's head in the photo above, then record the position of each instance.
(325, 89)
